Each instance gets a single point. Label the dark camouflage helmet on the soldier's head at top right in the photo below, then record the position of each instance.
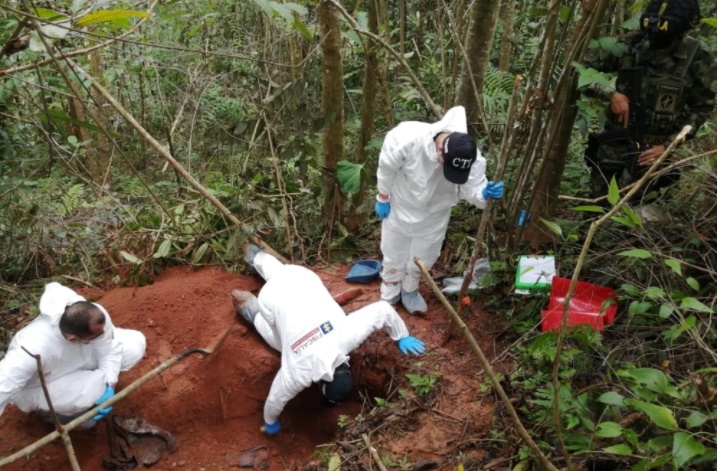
(670, 17)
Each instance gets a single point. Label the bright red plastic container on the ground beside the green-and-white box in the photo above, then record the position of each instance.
(585, 306)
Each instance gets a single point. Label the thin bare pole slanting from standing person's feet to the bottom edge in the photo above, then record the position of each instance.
(488, 369)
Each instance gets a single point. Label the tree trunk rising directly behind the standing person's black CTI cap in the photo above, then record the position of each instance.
(481, 35)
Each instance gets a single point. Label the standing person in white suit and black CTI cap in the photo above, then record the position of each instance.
(424, 170)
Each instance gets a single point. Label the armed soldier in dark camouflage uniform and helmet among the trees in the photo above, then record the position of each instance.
(677, 77)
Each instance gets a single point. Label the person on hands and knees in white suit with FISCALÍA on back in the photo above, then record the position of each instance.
(299, 318)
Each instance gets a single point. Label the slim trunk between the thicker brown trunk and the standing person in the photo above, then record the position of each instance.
(354, 220)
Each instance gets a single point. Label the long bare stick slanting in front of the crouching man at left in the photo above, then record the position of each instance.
(116, 398)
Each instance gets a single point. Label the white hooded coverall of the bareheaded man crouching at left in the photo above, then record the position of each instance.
(76, 373)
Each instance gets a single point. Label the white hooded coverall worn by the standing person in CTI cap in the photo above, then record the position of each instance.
(421, 199)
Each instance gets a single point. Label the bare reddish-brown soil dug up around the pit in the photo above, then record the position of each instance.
(213, 405)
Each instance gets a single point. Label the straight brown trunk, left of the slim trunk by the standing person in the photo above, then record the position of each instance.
(332, 108)
